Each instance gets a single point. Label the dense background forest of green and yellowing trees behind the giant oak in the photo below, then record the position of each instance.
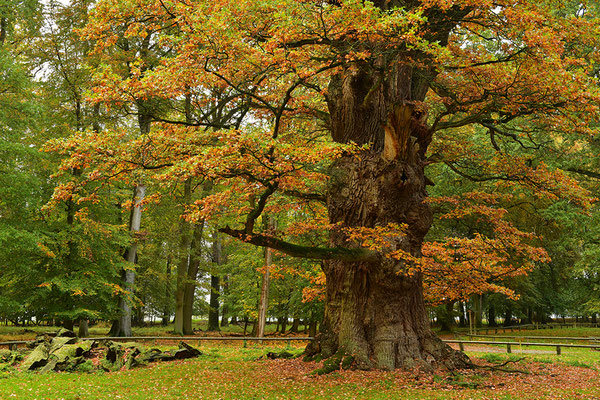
(100, 221)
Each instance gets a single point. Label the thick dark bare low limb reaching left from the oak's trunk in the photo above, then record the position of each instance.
(294, 250)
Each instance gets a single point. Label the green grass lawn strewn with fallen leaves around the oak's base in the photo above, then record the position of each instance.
(230, 371)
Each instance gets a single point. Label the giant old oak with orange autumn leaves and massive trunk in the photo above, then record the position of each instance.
(394, 83)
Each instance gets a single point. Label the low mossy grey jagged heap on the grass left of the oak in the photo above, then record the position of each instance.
(65, 352)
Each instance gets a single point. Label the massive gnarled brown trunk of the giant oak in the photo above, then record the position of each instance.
(374, 311)
